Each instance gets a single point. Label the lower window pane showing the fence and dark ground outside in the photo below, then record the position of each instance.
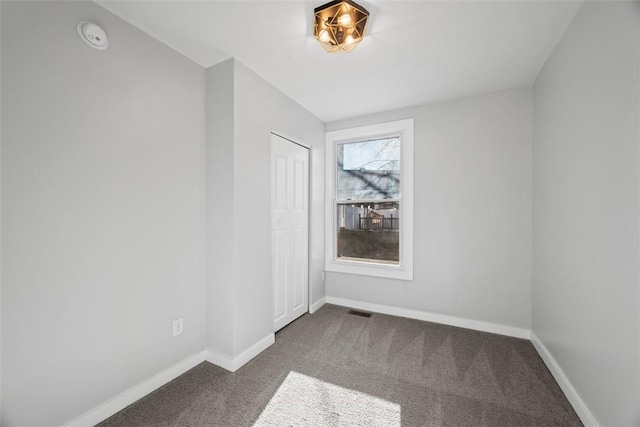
(369, 232)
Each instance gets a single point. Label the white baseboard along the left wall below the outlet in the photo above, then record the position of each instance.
(135, 393)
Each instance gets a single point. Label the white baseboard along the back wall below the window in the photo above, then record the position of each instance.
(477, 325)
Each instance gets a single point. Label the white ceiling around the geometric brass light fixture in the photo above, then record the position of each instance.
(414, 52)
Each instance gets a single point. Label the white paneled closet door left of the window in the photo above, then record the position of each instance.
(289, 230)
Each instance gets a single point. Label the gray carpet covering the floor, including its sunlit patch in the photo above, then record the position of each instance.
(334, 368)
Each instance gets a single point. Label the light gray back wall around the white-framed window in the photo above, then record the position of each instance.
(472, 214)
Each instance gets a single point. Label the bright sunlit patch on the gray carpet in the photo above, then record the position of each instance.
(306, 401)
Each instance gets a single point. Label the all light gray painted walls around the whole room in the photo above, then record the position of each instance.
(103, 209)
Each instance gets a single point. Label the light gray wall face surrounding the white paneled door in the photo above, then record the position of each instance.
(259, 109)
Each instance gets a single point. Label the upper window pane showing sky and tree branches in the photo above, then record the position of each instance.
(368, 169)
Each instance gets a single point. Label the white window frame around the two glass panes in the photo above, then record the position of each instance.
(403, 270)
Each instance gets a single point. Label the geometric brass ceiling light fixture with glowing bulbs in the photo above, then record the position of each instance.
(339, 25)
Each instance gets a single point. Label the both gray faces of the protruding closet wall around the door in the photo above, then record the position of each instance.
(242, 257)
